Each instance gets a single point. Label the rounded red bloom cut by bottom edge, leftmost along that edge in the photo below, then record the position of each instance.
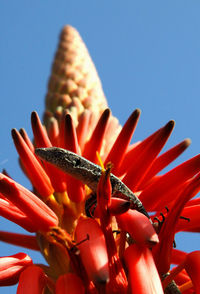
(32, 280)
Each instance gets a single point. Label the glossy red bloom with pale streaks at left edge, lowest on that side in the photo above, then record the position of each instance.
(11, 268)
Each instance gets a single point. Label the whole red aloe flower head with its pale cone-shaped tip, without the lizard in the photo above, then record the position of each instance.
(92, 239)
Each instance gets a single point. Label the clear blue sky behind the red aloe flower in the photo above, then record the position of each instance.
(147, 54)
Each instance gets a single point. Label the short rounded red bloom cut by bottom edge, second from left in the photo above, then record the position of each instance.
(69, 284)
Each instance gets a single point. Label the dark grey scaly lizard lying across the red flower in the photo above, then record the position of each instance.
(88, 173)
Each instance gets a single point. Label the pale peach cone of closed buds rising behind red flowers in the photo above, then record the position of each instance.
(74, 83)
